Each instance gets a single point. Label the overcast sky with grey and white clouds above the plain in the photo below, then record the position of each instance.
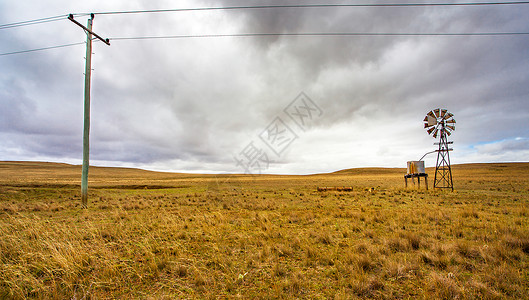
(273, 104)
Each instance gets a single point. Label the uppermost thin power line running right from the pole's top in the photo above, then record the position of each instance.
(311, 6)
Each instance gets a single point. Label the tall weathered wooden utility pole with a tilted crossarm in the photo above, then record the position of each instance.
(86, 130)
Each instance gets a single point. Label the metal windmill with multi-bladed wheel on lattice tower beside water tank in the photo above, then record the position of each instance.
(439, 122)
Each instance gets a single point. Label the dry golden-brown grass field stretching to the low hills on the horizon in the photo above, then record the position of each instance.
(163, 236)
